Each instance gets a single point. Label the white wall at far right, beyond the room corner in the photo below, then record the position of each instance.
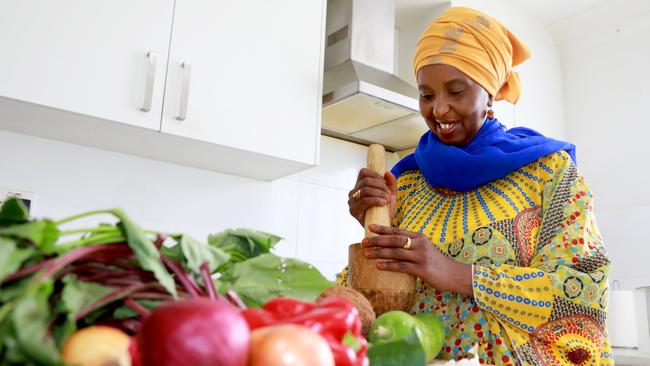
(606, 72)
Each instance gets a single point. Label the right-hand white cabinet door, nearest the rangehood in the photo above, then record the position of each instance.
(253, 68)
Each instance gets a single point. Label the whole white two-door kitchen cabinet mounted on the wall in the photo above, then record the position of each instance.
(249, 70)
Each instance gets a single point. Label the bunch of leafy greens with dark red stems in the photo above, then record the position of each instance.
(55, 279)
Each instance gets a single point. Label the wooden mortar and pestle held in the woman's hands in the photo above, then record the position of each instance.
(384, 289)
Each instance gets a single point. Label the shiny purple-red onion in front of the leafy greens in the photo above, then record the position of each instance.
(197, 332)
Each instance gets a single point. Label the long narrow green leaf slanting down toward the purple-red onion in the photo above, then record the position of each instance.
(145, 251)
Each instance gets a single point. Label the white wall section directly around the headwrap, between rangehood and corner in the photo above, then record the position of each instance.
(540, 105)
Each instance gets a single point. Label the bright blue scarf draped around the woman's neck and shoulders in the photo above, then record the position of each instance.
(492, 154)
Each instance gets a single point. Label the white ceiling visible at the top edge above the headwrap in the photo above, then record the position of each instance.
(546, 11)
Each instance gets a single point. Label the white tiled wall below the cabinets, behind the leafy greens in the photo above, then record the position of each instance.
(308, 209)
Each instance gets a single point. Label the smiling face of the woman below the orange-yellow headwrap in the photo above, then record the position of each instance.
(453, 105)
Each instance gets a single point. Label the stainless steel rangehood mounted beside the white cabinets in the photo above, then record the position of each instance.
(363, 101)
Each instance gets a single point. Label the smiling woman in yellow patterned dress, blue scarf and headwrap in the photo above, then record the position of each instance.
(496, 224)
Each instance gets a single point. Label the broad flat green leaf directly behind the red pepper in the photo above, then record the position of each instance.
(262, 278)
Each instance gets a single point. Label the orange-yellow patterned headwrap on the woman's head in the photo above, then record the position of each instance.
(477, 45)
